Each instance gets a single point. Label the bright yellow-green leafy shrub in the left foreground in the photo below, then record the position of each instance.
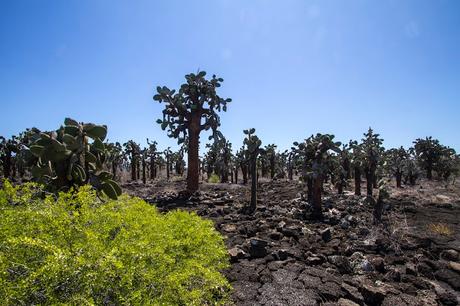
(79, 250)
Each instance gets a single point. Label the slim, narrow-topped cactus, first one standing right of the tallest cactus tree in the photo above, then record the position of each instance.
(252, 144)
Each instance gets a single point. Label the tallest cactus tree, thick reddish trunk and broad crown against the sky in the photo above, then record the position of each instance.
(189, 111)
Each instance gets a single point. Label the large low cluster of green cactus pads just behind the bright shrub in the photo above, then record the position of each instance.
(73, 156)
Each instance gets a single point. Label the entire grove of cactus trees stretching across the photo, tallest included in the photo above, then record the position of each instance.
(78, 154)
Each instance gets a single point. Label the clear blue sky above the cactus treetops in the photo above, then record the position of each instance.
(292, 68)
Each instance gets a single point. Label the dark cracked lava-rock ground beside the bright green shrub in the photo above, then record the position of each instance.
(280, 257)
